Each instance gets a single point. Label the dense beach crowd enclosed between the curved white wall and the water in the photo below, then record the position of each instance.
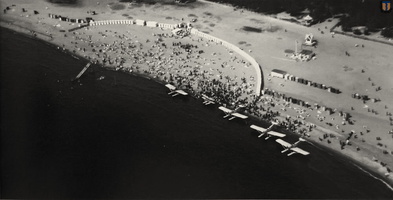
(190, 64)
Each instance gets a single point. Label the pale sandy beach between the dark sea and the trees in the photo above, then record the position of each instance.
(203, 66)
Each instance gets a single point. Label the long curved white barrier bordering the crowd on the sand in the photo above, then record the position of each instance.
(194, 32)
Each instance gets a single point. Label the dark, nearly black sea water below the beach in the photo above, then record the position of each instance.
(98, 139)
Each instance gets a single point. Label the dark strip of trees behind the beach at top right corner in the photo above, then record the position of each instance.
(356, 12)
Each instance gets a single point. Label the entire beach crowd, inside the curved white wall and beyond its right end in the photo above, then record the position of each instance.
(205, 67)
